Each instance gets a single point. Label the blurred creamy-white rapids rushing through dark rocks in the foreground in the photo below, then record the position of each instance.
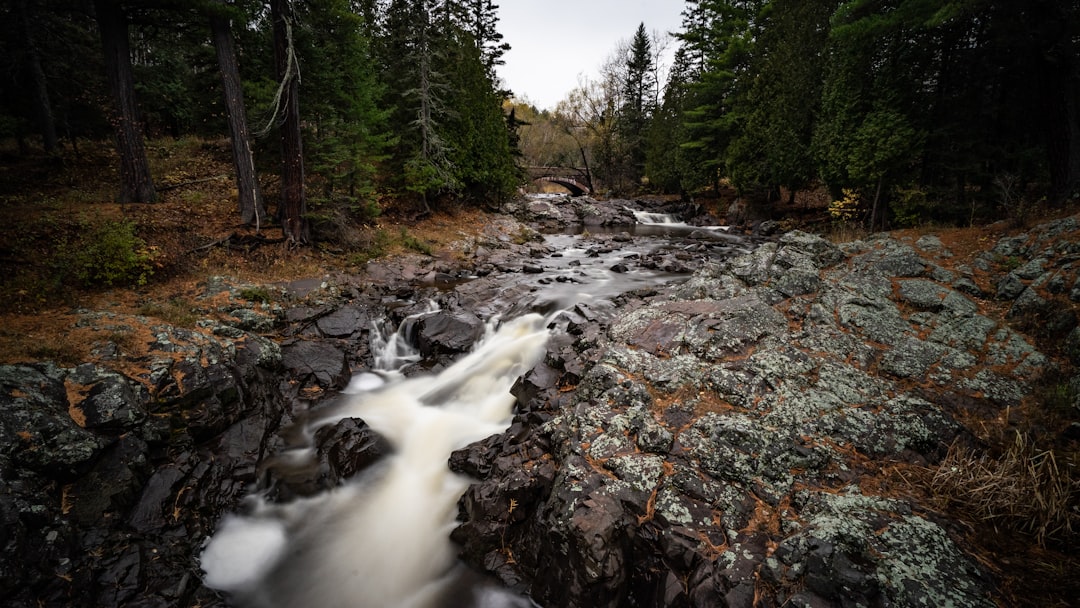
(383, 542)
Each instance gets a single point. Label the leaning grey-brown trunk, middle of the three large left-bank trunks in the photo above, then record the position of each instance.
(252, 211)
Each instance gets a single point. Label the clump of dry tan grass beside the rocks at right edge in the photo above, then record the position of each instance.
(1024, 489)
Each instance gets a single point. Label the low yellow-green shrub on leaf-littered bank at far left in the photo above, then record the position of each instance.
(111, 254)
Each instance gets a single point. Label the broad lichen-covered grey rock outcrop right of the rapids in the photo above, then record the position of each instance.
(718, 416)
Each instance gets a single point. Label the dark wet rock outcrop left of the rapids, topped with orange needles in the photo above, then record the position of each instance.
(110, 479)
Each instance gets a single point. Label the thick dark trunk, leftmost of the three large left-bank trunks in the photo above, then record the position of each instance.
(137, 185)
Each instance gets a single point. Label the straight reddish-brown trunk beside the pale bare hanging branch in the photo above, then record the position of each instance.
(293, 207)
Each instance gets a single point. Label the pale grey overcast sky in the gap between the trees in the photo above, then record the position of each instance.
(556, 42)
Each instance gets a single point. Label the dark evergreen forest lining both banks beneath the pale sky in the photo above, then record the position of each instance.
(902, 111)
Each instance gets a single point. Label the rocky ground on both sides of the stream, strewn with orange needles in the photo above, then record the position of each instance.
(718, 439)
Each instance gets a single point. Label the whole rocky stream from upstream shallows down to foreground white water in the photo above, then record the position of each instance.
(383, 539)
